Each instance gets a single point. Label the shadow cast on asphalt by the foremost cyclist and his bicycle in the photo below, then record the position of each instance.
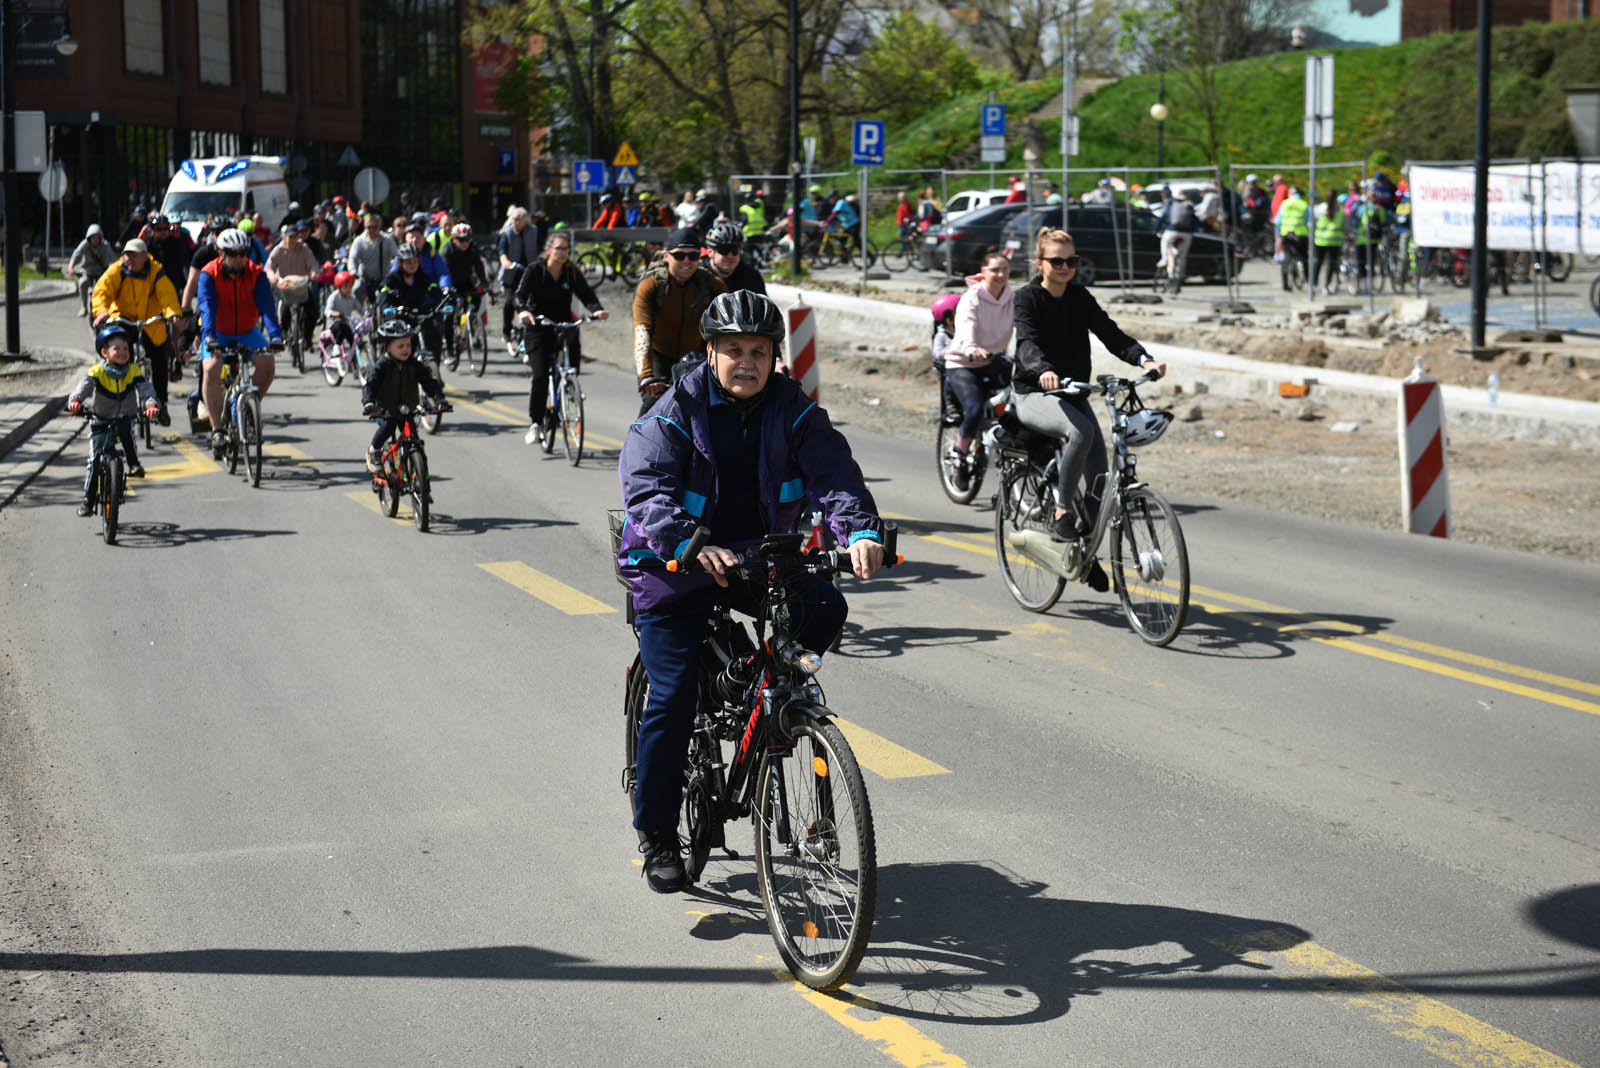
(972, 942)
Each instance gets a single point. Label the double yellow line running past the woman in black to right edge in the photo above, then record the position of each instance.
(1358, 647)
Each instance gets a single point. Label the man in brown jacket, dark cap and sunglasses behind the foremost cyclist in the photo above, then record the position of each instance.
(668, 308)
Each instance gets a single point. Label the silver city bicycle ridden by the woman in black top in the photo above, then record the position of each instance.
(1150, 564)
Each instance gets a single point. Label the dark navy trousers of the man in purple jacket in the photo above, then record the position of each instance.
(670, 640)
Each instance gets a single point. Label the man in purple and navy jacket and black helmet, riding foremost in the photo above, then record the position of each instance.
(740, 452)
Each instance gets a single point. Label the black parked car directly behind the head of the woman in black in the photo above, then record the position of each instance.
(1097, 244)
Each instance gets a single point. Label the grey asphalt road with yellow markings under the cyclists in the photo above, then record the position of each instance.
(290, 783)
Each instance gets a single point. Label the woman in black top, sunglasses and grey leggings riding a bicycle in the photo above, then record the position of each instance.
(1054, 324)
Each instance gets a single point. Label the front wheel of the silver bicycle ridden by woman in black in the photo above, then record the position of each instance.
(1150, 565)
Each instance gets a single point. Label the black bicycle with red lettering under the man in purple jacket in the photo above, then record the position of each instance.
(766, 747)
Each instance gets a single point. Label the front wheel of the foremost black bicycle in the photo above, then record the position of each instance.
(815, 856)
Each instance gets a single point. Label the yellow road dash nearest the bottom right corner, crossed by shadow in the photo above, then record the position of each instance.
(1441, 1030)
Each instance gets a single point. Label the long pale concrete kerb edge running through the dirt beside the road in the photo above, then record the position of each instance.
(1543, 420)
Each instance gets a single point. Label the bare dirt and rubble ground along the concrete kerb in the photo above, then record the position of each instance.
(1286, 456)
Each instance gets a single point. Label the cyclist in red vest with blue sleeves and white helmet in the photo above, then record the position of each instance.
(236, 305)
